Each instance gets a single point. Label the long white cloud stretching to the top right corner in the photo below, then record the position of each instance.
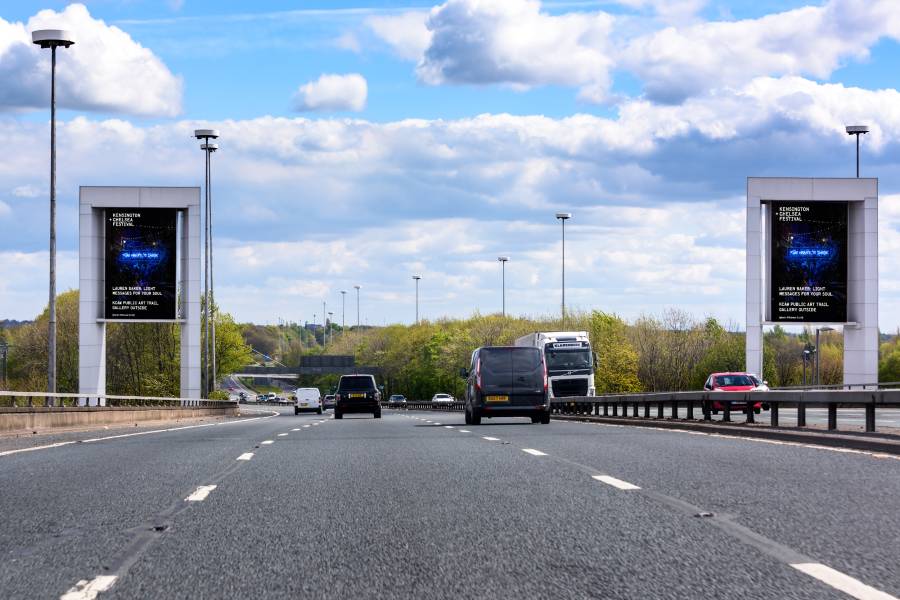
(676, 63)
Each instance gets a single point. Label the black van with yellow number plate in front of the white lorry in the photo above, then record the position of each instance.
(507, 381)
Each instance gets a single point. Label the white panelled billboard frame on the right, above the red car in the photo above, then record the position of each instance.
(861, 328)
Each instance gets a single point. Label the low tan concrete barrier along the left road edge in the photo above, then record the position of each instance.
(13, 420)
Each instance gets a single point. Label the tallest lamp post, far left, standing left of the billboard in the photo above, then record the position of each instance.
(53, 39)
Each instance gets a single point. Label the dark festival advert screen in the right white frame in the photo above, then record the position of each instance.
(809, 262)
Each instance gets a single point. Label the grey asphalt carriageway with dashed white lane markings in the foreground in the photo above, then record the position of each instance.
(418, 505)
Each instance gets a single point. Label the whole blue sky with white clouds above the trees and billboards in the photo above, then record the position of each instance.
(366, 141)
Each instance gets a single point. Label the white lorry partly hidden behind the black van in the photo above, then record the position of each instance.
(569, 359)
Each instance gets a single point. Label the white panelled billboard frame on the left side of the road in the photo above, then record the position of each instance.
(93, 202)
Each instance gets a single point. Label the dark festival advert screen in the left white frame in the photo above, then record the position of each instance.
(141, 258)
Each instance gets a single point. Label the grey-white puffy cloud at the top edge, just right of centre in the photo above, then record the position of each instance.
(512, 42)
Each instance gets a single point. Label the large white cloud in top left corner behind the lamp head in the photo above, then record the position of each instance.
(106, 70)
